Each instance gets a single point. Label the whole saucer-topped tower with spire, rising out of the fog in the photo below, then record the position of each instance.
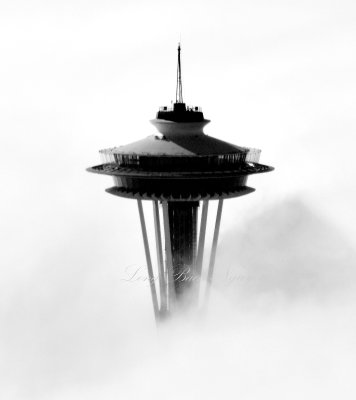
(180, 169)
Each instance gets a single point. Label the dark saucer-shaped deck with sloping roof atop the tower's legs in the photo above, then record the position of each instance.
(177, 166)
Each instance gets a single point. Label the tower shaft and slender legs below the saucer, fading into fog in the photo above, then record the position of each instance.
(178, 280)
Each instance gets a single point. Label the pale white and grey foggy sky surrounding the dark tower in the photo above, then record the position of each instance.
(78, 76)
